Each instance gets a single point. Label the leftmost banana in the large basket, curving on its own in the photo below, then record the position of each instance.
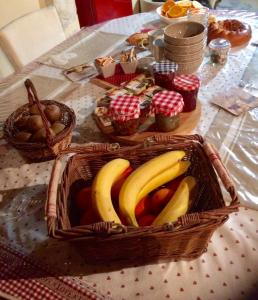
(101, 188)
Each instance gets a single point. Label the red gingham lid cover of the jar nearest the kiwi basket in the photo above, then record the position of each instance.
(125, 108)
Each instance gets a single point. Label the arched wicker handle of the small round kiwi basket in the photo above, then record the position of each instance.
(33, 99)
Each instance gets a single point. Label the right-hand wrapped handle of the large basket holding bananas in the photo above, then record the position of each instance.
(222, 172)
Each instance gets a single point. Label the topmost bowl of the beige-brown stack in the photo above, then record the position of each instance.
(184, 33)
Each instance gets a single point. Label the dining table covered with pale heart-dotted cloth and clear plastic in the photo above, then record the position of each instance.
(35, 266)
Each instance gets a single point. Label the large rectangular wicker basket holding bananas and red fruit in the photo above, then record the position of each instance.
(108, 242)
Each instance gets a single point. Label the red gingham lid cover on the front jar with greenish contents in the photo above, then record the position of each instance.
(168, 103)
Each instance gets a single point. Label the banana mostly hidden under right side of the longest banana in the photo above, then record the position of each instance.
(164, 177)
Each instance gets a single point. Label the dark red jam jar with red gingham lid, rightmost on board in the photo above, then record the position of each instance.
(188, 87)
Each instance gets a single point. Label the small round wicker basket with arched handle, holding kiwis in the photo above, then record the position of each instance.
(39, 151)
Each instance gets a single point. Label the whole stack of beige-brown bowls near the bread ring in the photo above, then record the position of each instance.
(184, 44)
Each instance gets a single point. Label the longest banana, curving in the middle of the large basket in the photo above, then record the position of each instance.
(128, 196)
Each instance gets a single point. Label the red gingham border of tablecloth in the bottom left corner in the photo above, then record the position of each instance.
(25, 278)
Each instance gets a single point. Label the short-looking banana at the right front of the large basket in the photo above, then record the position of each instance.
(178, 204)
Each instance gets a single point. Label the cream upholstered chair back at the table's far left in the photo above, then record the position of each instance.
(30, 36)
